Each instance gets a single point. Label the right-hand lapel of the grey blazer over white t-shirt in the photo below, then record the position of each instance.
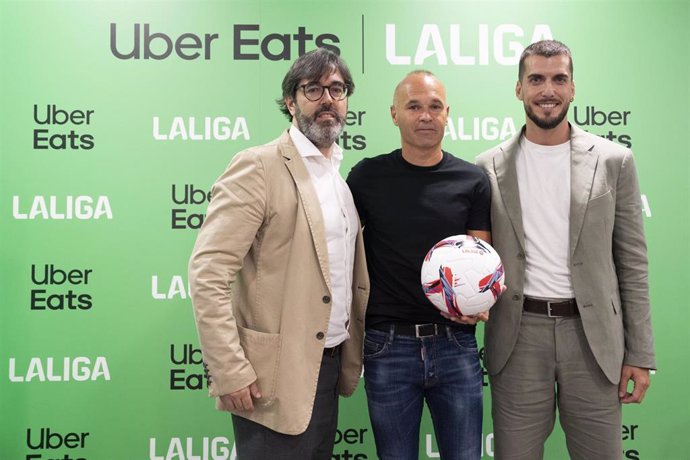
(583, 165)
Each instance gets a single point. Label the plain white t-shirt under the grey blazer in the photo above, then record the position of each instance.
(544, 182)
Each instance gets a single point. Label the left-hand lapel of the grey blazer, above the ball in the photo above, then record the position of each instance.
(506, 176)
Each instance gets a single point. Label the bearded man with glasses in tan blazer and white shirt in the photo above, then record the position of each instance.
(278, 276)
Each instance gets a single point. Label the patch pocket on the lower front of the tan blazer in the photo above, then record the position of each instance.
(263, 351)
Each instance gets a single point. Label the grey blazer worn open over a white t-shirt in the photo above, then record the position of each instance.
(608, 254)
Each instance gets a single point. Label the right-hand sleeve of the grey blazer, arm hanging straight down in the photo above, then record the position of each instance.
(630, 258)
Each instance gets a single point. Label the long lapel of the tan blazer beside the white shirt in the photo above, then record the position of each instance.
(310, 202)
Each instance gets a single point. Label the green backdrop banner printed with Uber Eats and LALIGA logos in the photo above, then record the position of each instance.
(118, 116)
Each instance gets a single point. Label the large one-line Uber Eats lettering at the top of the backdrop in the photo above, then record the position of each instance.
(249, 43)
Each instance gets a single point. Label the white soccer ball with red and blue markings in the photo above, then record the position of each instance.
(462, 275)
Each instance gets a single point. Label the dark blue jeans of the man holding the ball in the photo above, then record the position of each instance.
(400, 372)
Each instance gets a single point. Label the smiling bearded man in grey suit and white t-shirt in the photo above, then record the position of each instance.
(573, 329)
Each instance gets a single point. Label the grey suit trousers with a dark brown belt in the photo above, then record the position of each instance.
(552, 367)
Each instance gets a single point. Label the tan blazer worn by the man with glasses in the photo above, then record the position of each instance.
(260, 287)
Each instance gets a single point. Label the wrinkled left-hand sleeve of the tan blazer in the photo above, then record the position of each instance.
(234, 216)
